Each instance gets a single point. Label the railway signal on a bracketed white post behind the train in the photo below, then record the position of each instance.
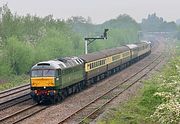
(89, 40)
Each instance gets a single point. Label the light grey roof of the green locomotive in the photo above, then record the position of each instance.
(61, 63)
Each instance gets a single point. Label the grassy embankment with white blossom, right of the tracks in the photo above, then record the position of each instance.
(158, 102)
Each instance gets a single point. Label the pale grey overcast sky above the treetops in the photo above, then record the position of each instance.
(98, 10)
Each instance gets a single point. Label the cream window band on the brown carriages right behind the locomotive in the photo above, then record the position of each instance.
(102, 62)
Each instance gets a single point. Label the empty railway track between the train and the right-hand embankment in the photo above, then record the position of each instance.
(93, 108)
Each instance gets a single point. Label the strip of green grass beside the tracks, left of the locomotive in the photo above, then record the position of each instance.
(13, 81)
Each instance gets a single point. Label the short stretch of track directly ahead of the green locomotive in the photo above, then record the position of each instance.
(22, 114)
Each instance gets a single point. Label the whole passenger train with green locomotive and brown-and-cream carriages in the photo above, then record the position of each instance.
(54, 80)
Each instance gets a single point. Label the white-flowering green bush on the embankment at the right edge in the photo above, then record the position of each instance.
(169, 111)
